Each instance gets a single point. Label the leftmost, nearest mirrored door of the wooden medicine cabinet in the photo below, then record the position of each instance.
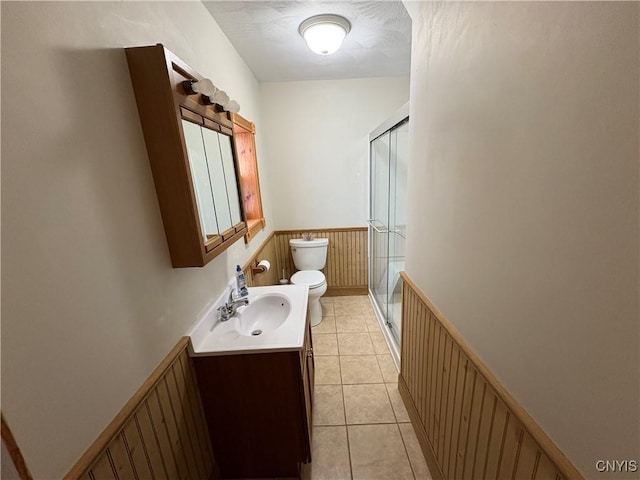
(200, 178)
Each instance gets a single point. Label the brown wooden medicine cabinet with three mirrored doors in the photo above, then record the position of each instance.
(191, 152)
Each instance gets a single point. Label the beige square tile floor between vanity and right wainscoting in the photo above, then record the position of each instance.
(361, 428)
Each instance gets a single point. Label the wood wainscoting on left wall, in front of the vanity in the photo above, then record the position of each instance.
(160, 433)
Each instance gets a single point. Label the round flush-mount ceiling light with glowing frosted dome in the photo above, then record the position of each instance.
(324, 33)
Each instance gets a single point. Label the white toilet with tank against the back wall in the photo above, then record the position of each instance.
(309, 257)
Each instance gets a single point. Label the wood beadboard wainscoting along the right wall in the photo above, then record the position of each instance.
(468, 425)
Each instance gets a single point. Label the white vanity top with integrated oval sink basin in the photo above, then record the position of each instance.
(275, 319)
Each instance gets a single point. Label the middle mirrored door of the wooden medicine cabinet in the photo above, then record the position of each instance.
(217, 178)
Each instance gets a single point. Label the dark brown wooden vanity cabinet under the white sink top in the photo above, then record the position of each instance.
(259, 410)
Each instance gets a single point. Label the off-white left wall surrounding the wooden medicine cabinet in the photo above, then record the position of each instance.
(90, 302)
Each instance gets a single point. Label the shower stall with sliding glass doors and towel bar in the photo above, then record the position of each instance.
(388, 158)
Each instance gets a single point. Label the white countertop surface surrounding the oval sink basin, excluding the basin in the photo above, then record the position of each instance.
(210, 336)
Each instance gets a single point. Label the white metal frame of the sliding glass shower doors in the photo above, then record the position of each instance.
(397, 118)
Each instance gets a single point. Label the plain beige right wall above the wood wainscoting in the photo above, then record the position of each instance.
(523, 205)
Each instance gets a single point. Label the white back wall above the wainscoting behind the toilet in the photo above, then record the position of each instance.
(317, 136)
